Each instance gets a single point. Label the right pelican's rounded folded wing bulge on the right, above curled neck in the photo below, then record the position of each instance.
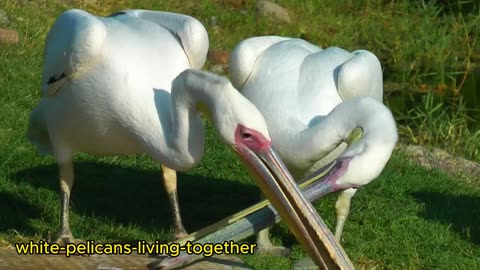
(360, 76)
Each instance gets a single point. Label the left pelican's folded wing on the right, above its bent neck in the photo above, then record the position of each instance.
(190, 32)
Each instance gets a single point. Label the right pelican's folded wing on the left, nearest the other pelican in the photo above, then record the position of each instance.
(245, 54)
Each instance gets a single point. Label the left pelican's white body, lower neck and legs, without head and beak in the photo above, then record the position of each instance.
(106, 90)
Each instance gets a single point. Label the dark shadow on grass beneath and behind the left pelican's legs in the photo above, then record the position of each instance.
(128, 195)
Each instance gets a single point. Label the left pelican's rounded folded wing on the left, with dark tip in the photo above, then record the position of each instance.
(73, 43)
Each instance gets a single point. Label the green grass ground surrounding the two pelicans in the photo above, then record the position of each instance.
(409, 218)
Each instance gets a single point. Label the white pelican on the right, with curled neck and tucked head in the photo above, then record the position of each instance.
(312, 99)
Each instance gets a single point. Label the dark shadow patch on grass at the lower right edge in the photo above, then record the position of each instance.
(461, 212)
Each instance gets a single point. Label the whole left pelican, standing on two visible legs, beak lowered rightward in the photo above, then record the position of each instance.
(110, 86)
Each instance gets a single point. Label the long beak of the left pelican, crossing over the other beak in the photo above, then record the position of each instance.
(279, 187)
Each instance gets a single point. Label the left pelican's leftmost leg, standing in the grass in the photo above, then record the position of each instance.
(66, 182)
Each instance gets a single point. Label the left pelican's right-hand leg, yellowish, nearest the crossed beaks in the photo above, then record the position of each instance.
(170, 183)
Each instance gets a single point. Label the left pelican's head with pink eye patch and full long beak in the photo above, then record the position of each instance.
(243, 128)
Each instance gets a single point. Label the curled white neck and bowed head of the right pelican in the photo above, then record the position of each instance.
(365, 159)
